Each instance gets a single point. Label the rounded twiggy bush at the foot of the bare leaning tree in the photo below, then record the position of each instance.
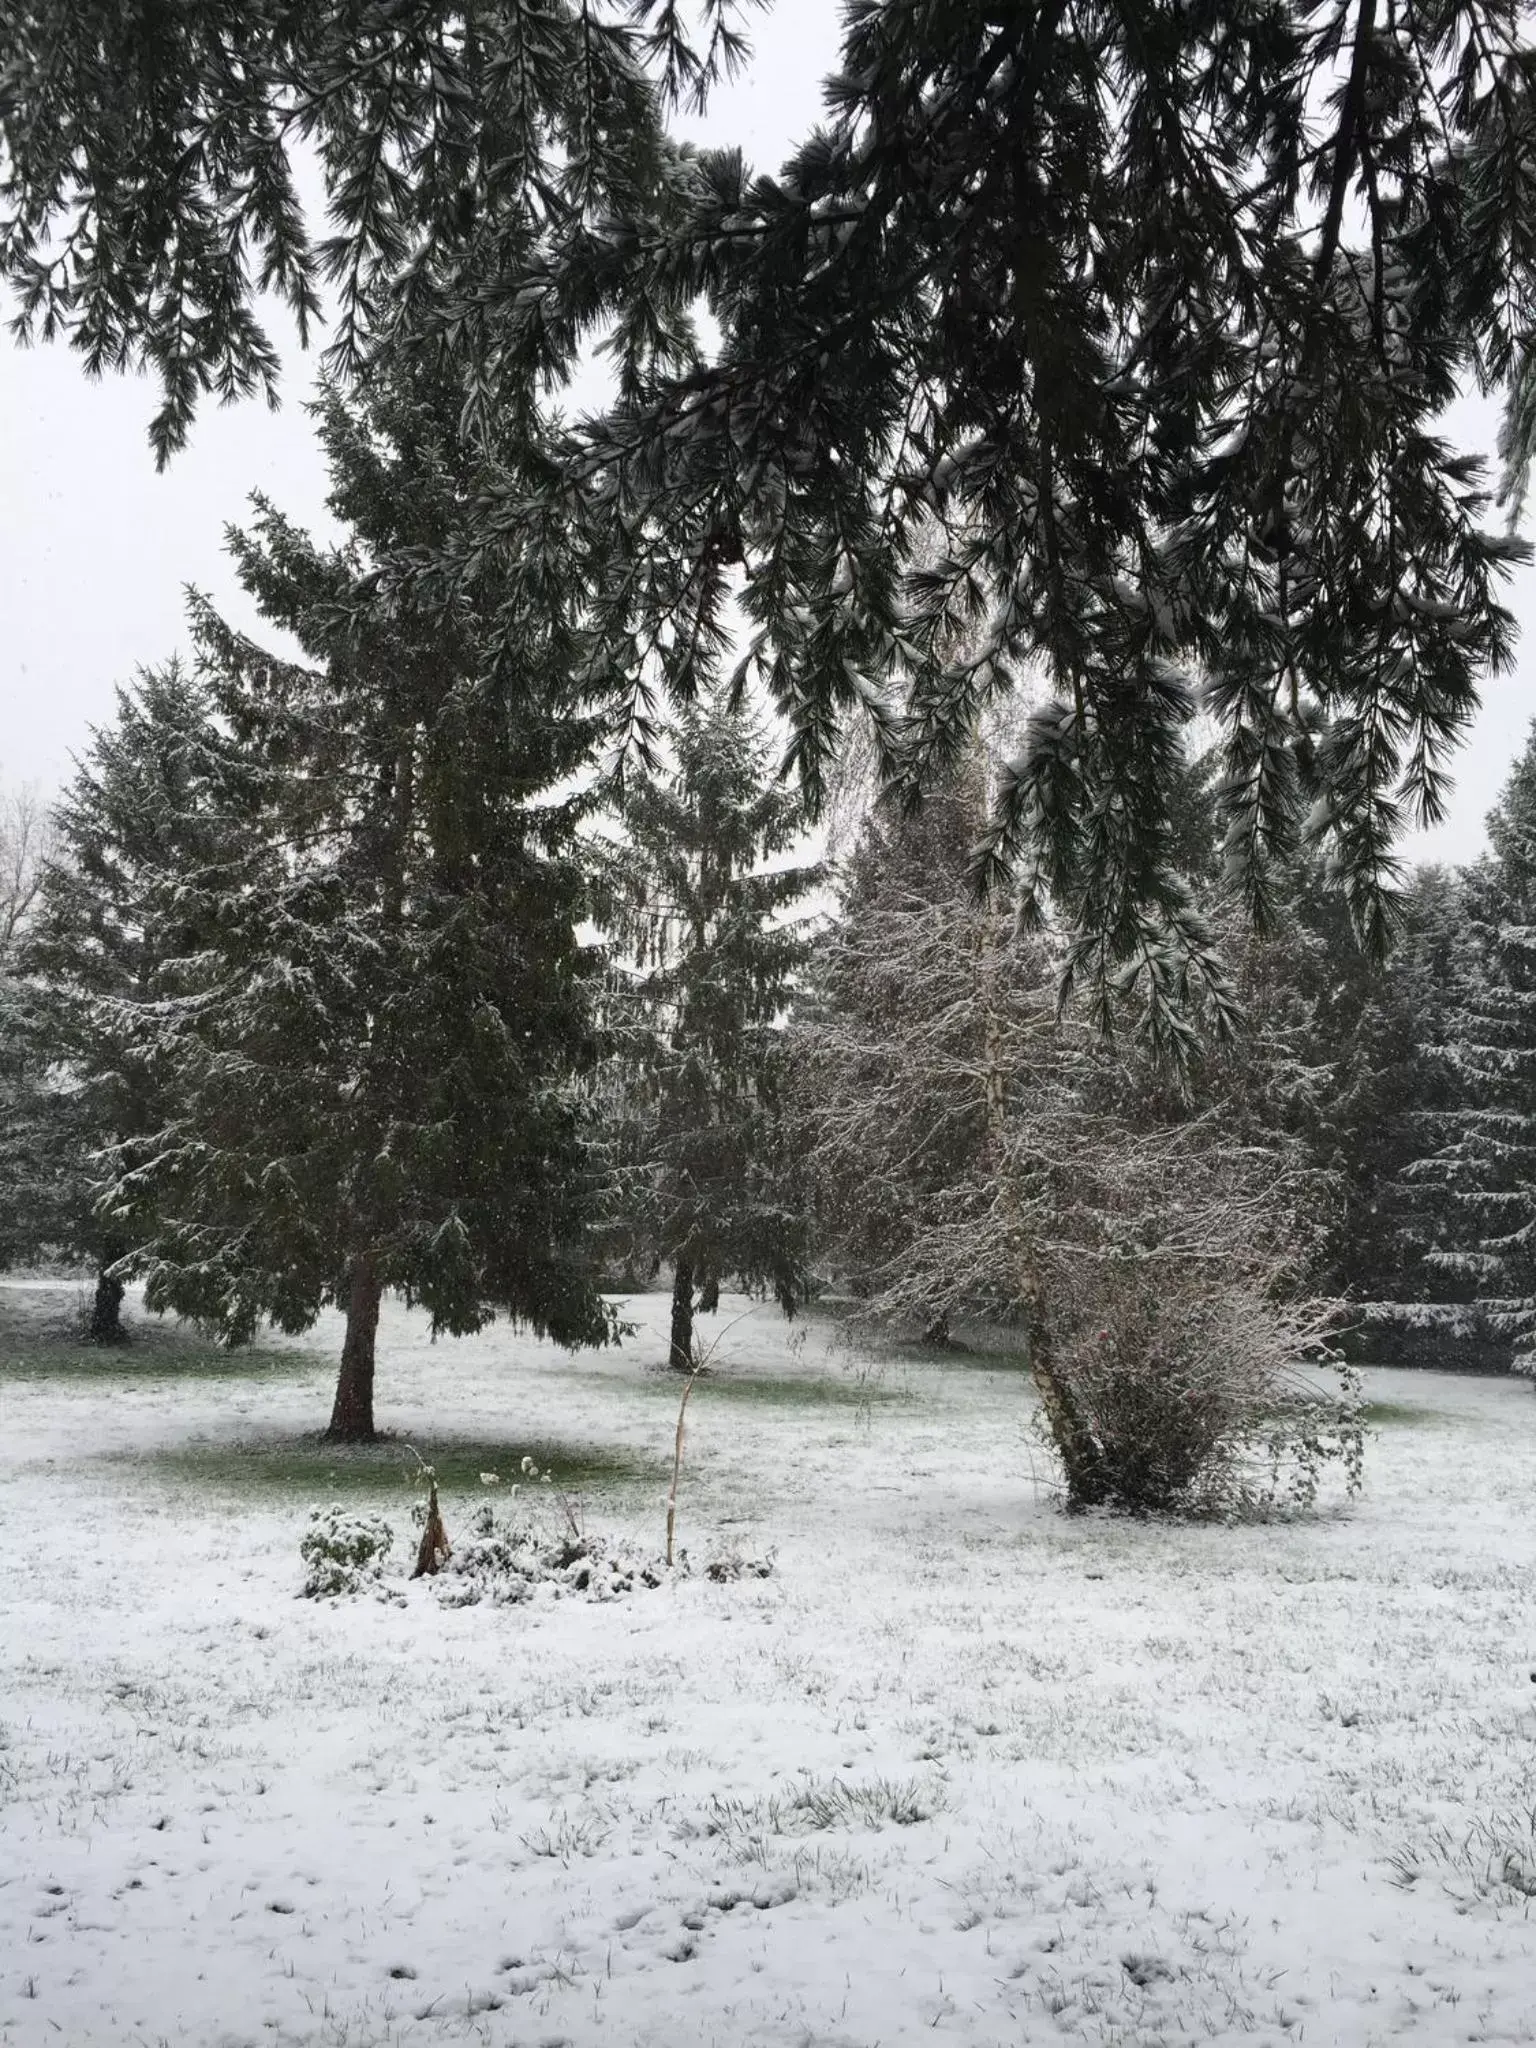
(1189, 1394)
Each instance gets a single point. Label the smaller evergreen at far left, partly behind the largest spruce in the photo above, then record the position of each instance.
(128, 824)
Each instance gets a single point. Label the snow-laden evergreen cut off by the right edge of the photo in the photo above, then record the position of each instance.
(1482, 1172)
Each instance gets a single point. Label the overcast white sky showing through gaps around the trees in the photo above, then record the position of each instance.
(97, 550)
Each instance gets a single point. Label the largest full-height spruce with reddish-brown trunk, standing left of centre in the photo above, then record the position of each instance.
(378, 1021)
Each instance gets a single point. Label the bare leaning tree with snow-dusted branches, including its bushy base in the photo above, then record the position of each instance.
(978, 1154)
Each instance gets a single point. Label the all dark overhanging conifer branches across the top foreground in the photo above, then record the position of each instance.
(1099, 341)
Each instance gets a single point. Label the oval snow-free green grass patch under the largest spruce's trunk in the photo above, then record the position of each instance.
(304, 1467)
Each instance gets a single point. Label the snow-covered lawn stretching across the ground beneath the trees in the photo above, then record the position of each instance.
(959, 1770)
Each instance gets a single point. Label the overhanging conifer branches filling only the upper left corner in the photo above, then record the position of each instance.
(151, 194)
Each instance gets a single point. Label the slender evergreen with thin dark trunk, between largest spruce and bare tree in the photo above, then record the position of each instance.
(706, 949)
